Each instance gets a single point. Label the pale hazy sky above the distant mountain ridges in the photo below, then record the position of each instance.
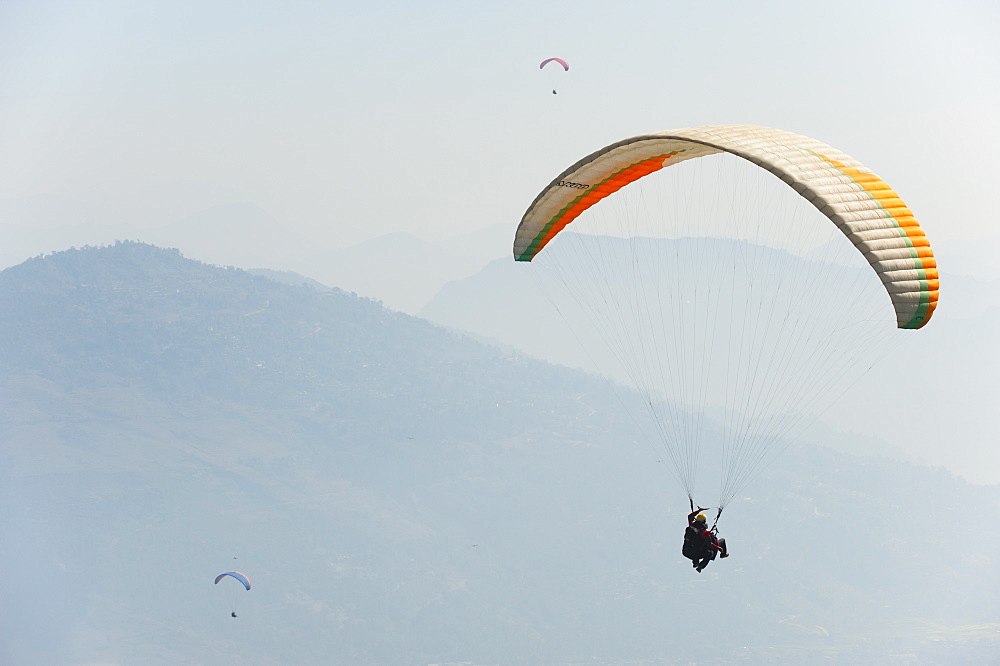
(345, 121)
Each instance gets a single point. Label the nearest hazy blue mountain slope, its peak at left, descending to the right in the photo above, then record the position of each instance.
(402, 494)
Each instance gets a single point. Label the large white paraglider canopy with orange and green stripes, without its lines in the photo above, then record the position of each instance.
(861, 204)
